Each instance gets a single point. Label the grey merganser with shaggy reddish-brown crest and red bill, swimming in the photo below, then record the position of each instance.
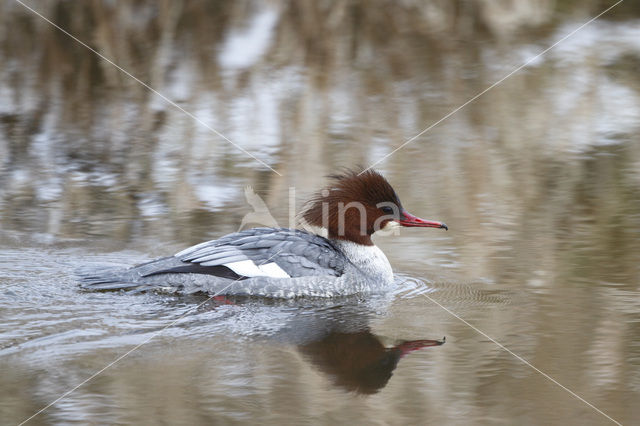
(333, 256)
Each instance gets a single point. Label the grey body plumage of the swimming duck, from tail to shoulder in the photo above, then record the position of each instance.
(202, 267)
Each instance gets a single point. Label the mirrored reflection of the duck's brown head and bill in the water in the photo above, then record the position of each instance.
(336, 338)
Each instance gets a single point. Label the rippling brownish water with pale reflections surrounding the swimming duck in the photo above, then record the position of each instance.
(538, 180)
